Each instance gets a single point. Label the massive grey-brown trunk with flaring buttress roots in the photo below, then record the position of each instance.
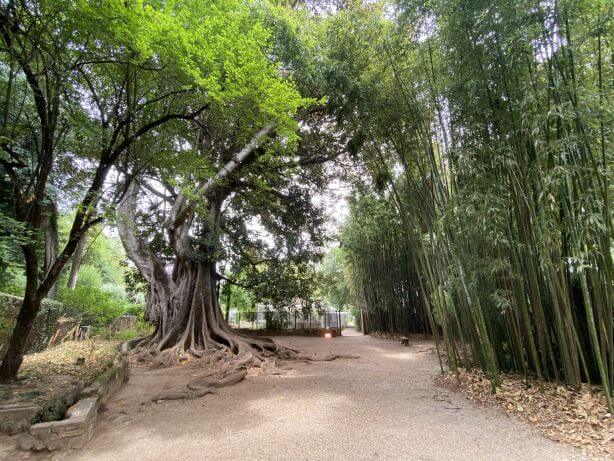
(184, 305)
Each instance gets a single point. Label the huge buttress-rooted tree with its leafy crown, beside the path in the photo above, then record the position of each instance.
(253, 167)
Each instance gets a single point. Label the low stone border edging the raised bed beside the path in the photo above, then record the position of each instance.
(77, 428)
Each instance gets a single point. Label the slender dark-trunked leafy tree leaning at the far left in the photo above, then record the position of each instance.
(85, 84)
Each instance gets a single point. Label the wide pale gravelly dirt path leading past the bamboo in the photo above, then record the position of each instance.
(381, 406)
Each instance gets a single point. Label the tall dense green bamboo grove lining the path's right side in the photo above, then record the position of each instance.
(485, 130)
